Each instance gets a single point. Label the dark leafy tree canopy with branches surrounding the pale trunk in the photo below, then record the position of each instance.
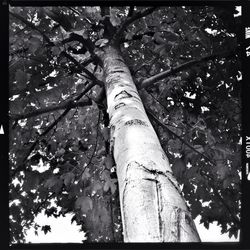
(185, 62)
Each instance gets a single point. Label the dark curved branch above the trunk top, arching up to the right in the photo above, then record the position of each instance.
(132, 19)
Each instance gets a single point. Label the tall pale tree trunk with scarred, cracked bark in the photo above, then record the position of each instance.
(152, 207)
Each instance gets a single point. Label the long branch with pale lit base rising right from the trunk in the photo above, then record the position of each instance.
(149, 81)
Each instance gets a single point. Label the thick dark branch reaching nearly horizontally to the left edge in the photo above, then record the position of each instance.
(70, 104)
